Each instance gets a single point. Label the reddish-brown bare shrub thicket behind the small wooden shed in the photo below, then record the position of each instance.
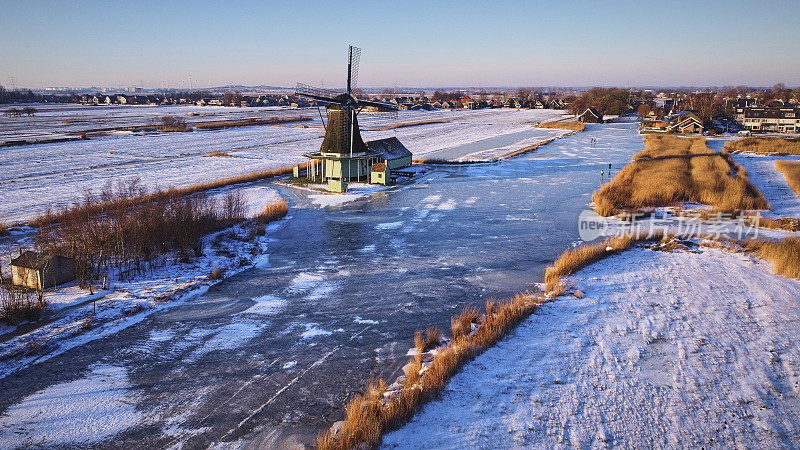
(118, 230)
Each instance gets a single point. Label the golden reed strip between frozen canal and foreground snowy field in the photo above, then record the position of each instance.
(369, 415)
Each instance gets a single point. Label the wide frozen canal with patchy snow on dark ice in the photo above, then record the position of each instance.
(269, 356)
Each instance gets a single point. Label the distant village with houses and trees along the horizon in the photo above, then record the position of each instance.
(741, 109)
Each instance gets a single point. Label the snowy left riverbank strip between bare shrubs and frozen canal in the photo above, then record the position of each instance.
(75, 316)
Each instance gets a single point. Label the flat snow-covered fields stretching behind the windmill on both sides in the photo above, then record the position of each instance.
(38, 177)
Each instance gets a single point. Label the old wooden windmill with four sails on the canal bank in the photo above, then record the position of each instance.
(343, 155)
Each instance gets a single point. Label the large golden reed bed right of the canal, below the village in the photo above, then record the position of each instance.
(671, 170)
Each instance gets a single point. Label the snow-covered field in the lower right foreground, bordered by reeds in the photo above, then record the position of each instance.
(650, 357)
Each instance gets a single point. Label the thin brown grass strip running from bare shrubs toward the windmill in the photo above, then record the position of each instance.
(139, 196)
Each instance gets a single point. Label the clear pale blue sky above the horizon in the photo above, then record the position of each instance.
(404, 43)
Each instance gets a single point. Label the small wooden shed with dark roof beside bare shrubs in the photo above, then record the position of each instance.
(40, 271)
